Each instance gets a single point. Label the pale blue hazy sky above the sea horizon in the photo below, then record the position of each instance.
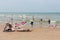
(29, 5)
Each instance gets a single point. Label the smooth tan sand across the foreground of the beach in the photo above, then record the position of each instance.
(36, 34)
